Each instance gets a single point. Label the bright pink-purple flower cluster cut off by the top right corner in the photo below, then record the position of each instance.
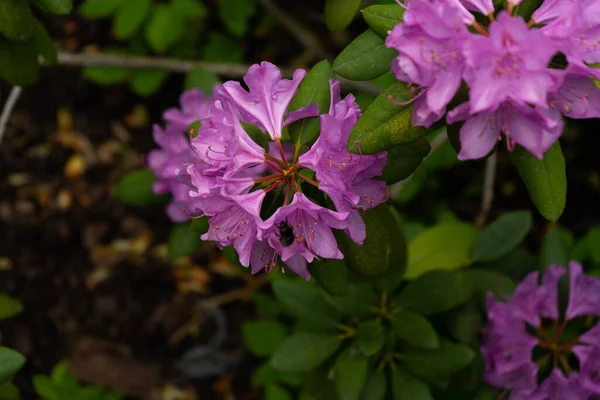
(514, 88)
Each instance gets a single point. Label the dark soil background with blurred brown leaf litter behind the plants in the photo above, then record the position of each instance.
(92, 273)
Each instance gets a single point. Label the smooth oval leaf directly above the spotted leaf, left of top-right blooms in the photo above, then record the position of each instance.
(365, 58)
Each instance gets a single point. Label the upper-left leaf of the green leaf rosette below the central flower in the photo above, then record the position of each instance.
(306, 304)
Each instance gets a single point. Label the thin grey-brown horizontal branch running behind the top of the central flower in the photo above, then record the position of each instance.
(182, 66)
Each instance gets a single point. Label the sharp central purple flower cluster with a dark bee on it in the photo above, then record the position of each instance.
(227, 175)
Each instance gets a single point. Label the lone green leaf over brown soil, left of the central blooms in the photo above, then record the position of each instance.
(135, 189)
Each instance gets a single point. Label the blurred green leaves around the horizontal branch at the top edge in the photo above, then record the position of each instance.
(176, 28)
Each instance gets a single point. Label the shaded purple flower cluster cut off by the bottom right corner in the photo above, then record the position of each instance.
(530, 324)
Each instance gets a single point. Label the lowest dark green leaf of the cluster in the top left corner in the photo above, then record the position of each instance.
(18, 62)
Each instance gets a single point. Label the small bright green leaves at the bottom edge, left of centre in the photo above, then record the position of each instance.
(61, 384)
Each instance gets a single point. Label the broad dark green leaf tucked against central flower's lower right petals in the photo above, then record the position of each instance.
(383, 250)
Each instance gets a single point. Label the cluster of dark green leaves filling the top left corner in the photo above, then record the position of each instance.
(23, 38)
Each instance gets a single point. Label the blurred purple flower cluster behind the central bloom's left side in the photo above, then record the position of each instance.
(175, 151)
